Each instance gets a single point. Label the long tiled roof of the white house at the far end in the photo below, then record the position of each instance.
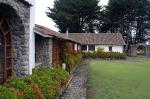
(99, 39)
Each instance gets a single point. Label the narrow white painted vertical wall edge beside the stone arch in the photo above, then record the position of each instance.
(32, 37)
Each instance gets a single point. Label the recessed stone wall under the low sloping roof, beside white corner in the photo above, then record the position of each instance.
(43, 51)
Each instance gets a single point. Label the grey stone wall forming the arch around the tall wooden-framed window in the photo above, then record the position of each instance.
(18, 14)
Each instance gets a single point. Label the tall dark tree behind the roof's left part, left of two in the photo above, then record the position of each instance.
(76, 15)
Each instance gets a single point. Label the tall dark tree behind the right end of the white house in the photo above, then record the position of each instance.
(129, 17)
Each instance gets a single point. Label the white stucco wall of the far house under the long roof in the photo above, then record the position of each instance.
(115, 48)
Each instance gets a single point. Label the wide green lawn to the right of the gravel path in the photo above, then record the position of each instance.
(128, 79)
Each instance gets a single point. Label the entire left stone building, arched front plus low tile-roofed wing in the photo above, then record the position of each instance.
(24, 45)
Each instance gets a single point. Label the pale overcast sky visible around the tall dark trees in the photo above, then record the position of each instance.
(40, 15)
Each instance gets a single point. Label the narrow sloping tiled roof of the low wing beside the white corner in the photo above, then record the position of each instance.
(48, 32)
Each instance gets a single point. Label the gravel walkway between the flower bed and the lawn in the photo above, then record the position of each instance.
(77, 87)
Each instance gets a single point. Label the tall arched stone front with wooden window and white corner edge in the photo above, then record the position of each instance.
(16, 38)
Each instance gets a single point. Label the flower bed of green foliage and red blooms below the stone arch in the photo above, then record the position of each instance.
(44, 83)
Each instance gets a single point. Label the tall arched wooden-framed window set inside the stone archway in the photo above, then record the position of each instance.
(6, 65)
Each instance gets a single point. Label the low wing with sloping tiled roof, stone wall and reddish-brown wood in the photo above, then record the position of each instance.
(48, 46)
